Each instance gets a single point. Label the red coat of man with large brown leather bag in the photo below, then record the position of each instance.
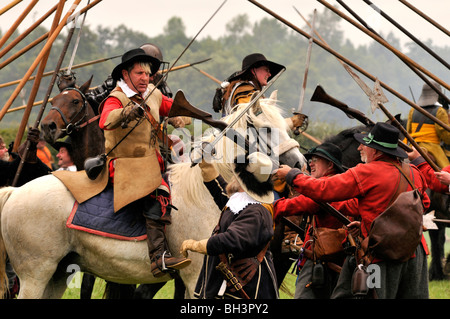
(373, 184)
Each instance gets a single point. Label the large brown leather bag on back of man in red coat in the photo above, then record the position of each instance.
(395, 234)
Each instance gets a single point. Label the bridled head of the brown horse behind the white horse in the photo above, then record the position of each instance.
(69, 109)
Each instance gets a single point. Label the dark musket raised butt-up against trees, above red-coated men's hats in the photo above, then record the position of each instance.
(320, 95)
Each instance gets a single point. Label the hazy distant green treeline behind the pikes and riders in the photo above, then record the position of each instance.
(268, 36)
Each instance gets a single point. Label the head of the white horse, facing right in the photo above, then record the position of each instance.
(267, 132)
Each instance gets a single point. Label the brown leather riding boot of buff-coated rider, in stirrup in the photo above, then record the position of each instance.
(161, 259)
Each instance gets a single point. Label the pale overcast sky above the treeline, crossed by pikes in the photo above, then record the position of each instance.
(151, 16)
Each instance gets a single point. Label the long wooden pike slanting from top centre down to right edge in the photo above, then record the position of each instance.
(352, 64)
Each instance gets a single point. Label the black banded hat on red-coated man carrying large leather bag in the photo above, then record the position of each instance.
(383, 137)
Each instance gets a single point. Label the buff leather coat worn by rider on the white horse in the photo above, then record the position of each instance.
(136, 167)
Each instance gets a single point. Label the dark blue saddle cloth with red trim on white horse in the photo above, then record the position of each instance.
(97, 216)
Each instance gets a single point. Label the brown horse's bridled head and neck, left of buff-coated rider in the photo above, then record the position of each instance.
(71, 115)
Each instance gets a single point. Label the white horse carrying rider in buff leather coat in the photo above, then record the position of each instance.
(41, 248)
